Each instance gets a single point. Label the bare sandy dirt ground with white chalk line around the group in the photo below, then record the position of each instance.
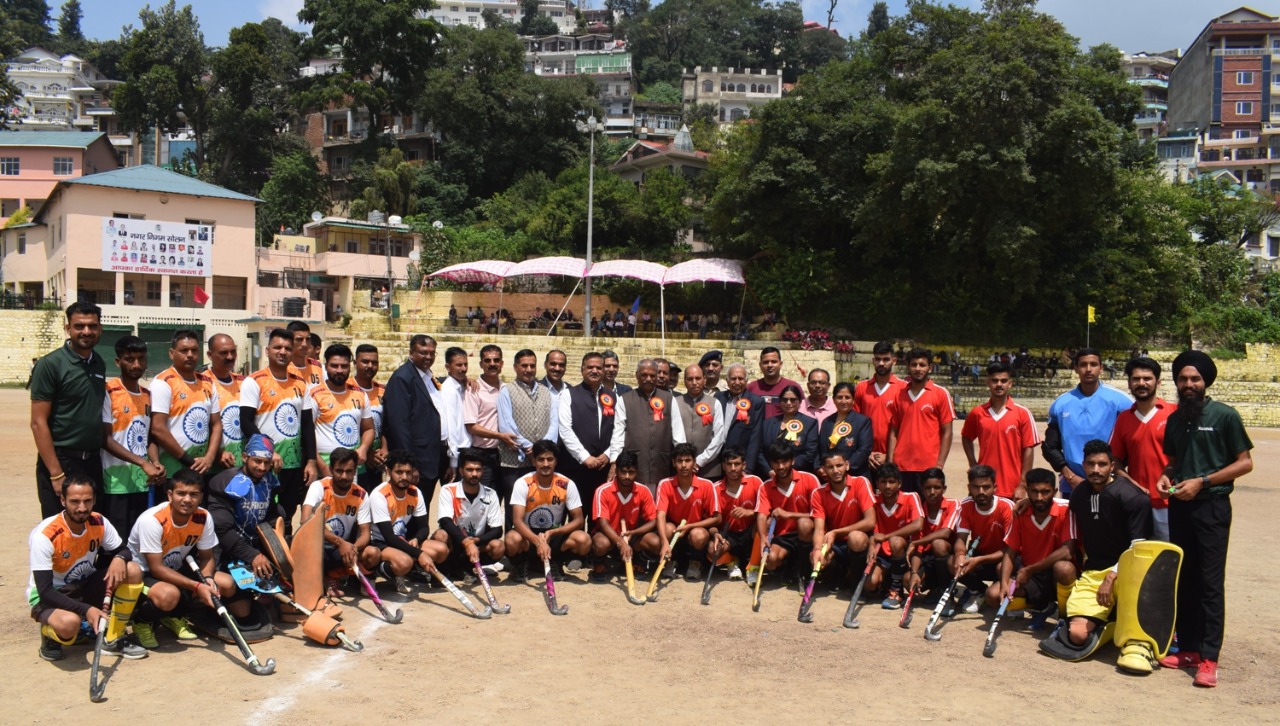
(673, 660)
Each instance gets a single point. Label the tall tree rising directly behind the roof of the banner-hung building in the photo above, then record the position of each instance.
(166, 74)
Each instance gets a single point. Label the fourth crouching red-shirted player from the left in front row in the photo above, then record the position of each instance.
(788, 499)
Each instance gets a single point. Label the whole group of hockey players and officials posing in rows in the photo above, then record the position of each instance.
(688, 468)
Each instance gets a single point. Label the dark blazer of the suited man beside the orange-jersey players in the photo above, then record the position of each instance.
(410, 421)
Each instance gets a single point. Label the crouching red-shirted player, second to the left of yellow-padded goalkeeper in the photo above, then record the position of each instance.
(982, 514)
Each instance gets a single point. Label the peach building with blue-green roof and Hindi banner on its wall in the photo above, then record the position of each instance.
(81, 243)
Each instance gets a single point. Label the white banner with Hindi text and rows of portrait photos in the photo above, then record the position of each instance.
(158, 248)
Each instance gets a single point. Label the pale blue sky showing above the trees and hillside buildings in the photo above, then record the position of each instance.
(1130, 25)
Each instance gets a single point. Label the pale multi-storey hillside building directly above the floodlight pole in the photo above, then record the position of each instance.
(598, 56)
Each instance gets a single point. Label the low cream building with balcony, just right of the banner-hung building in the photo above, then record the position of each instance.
(332, 263)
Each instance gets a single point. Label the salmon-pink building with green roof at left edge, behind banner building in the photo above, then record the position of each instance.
(34, 162)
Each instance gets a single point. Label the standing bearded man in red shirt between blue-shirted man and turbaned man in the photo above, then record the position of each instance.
(1139, 439)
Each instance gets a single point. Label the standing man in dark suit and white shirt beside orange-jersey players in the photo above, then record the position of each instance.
(412, 414)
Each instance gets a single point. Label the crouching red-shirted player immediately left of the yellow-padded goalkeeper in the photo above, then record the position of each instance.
(1037, 564)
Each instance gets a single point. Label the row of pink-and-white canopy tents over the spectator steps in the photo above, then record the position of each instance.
(492, 272)
